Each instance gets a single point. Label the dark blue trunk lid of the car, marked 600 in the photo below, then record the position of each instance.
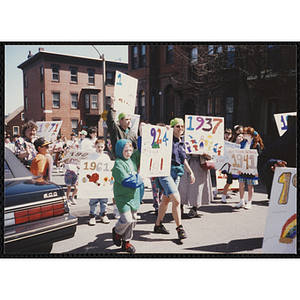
(23, 191)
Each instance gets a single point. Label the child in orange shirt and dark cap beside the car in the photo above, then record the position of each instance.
(39, 166)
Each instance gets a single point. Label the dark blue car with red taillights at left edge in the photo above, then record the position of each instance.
(36, 213)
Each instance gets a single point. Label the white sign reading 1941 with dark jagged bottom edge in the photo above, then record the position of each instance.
(243, 162)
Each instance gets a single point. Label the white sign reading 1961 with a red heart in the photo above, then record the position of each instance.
(95, 179)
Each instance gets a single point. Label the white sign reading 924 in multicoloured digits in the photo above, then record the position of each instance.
(156, 151)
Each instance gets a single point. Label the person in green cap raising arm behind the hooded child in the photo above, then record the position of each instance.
(121, 130)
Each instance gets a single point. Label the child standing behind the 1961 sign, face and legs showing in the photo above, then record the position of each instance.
(99, 154)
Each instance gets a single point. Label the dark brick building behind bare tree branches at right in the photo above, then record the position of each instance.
(165, 73)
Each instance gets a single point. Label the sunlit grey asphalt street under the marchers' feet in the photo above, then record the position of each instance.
(219, 229)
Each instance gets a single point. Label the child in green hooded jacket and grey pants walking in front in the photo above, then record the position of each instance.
(126, 193)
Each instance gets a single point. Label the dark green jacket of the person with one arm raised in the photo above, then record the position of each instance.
(117, 132)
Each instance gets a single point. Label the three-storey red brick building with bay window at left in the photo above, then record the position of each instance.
(68, 88)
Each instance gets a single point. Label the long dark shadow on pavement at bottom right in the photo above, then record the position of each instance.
(232, 247)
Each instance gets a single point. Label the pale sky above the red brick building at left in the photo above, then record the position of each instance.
(16, 54)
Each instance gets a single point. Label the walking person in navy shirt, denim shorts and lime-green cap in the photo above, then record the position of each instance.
(169, 183)
